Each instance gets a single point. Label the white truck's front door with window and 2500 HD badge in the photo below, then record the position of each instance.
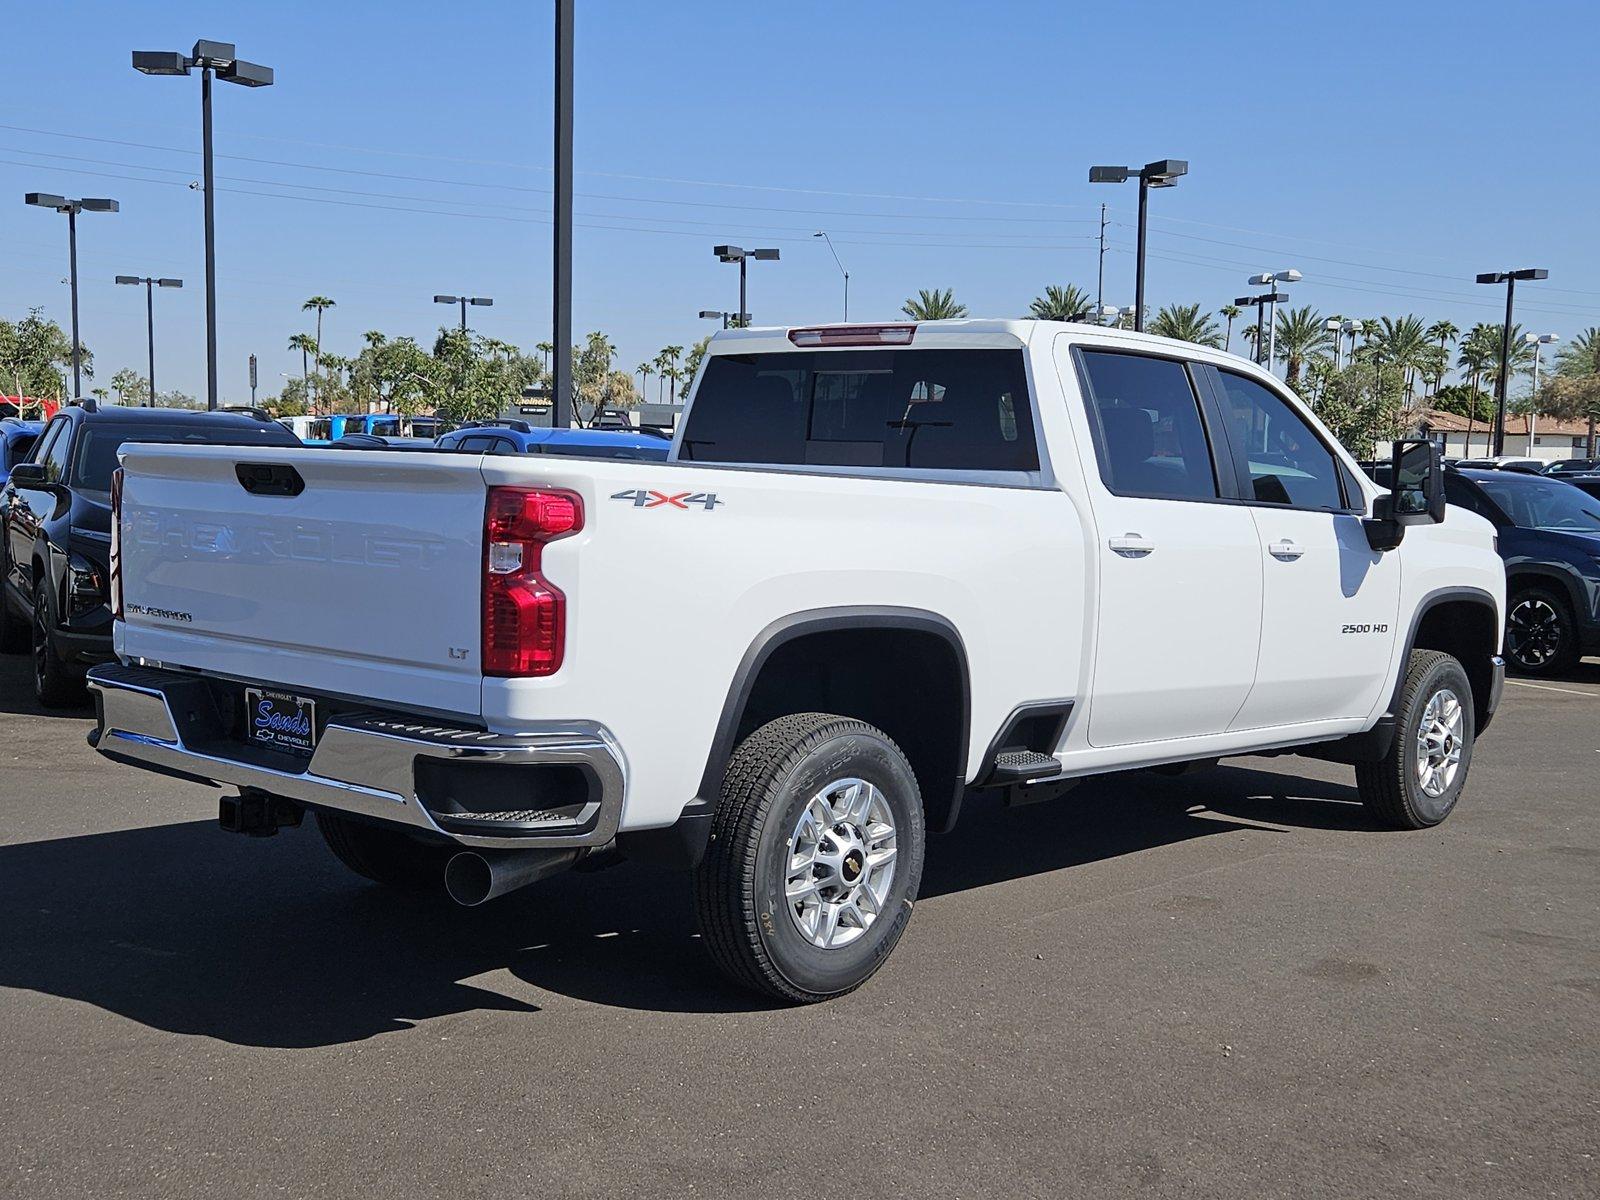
(1329, 601)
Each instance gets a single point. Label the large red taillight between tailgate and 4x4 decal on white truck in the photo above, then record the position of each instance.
(524, 614)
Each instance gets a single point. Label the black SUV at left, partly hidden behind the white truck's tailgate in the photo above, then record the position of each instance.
(55, 532)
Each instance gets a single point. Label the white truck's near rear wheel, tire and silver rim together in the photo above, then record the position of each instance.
(815, 858)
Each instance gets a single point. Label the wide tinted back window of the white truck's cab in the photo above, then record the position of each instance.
(934, 410)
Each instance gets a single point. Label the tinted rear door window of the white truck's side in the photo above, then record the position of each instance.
(1148, 431)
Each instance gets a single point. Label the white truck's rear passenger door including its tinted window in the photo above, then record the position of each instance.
(1180, 570)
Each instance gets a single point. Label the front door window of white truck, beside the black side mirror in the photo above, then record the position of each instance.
(1289, 463)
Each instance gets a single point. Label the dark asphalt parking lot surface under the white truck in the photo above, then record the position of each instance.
(1226, 985)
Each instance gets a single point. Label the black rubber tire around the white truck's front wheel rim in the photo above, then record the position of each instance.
(1393, 790)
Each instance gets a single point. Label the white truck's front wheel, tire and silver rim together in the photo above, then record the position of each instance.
(1418, 783)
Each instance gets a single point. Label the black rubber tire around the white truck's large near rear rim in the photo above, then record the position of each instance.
(746, 921)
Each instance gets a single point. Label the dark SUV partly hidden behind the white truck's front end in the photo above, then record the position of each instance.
(1550, 537)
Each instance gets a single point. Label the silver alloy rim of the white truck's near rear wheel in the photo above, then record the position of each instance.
(841, 863)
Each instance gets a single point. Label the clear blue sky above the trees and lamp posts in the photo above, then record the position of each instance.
(1390, 151)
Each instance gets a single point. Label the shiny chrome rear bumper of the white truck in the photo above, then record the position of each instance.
(364, 764)
